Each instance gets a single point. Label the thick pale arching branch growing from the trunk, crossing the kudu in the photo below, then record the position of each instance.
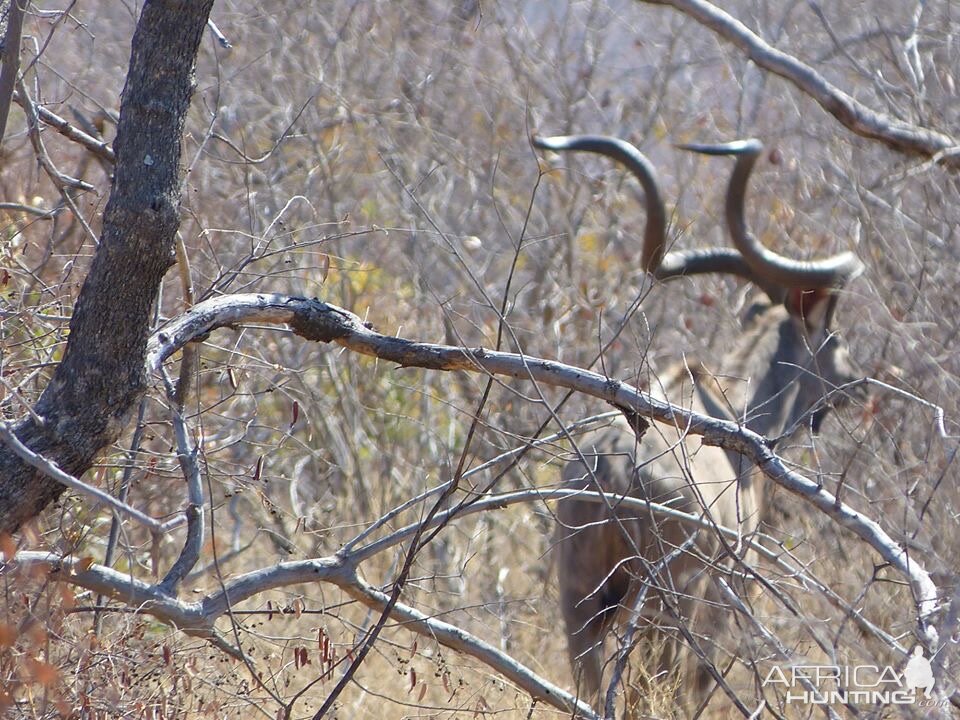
(319, 321)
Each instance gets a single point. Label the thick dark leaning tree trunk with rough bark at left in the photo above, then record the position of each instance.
(101, 379)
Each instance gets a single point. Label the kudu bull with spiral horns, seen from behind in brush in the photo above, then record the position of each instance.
(777, 377)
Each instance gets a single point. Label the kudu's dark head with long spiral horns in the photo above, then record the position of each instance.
(793, 371)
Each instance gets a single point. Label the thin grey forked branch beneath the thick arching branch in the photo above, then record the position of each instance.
(198, 618)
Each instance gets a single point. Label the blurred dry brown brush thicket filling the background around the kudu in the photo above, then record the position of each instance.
(378, 158)
